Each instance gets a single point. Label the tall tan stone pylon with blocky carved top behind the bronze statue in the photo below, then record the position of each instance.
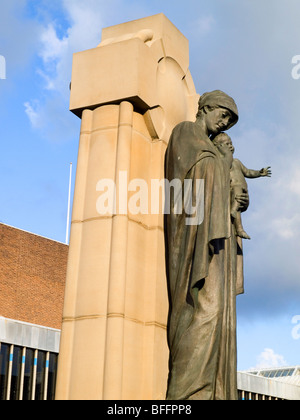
(129, 91)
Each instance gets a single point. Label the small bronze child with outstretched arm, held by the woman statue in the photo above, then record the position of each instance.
(238, 184)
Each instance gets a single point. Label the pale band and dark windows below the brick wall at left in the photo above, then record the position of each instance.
(28, 360)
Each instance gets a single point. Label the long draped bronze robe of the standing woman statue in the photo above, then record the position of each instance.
(204, 271)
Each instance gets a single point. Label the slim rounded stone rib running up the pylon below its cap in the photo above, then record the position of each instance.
(112, 378)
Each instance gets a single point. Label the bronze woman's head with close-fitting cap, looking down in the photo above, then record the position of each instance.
(219, 111)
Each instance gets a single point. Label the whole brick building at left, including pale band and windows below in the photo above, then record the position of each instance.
(32, 282)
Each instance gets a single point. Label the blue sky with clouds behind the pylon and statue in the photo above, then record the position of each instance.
(242, 47)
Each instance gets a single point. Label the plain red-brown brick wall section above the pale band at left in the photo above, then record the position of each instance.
(32, 277)
